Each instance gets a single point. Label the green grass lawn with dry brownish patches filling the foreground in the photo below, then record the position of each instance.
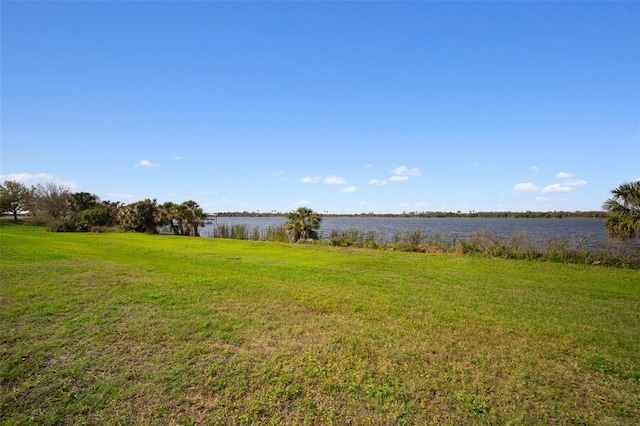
(149, 329)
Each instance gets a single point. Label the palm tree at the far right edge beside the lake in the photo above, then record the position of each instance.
(623, 220)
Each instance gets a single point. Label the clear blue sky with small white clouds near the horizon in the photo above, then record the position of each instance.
(344, 107)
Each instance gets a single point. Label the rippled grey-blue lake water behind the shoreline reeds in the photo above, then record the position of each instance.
(540, 229)
